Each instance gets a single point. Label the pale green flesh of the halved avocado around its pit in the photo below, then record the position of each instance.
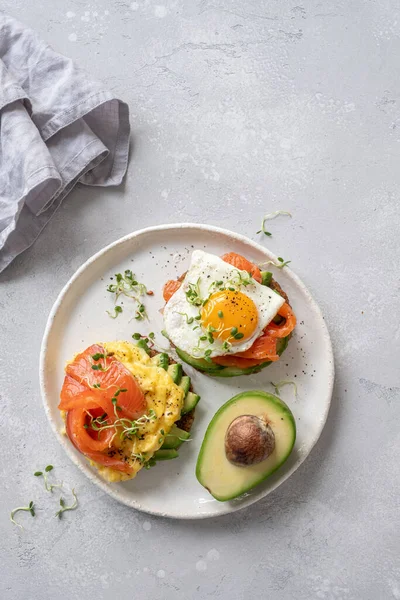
(225, 480)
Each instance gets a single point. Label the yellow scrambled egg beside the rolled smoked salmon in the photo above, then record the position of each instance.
(163, 396)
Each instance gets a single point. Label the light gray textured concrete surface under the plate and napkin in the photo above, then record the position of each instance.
(238, 108)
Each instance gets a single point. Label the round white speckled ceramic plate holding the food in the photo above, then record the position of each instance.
(79, 318)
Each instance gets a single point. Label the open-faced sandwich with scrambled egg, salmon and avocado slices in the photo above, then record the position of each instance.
(125, 407)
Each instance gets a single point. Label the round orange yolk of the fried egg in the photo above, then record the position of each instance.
(228, 313)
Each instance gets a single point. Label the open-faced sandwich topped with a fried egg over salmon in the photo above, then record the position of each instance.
(225, 317)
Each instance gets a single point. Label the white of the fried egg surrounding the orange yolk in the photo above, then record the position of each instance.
(205, 269)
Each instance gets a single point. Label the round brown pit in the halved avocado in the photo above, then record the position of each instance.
(249, 440)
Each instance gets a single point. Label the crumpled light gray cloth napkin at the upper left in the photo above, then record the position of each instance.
(57, 128)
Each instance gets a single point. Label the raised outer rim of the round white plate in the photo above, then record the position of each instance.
(53, 313)
